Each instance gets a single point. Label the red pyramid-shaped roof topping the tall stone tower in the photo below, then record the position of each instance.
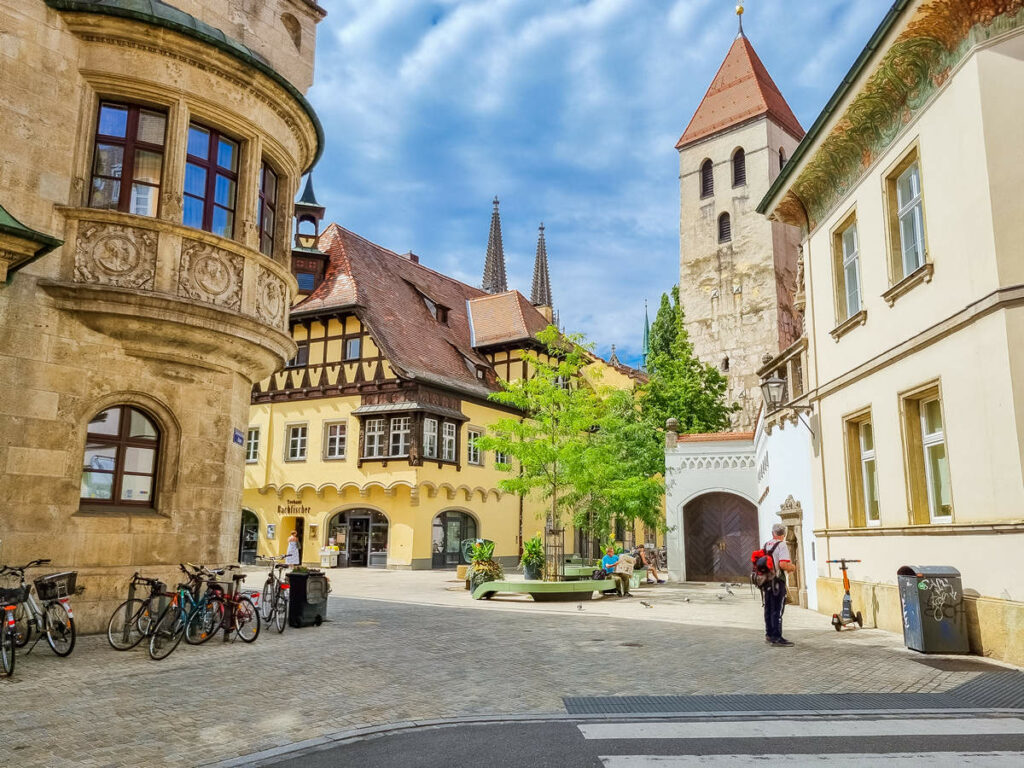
(742, 91)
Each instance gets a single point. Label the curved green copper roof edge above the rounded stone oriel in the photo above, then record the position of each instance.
(160, 14)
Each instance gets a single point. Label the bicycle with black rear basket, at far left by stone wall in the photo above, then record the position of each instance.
(55, 619)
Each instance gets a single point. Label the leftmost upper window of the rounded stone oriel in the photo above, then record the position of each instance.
(129, 159)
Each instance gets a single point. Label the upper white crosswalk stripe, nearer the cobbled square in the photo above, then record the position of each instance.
(805, 729)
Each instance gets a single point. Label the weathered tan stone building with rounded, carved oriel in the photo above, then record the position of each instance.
(150, 157)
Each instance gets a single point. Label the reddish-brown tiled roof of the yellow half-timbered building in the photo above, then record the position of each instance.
(388, 292)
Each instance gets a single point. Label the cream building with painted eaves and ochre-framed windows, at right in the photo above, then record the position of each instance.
(908, 190)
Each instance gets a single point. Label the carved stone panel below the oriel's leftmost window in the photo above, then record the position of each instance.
(116, 255)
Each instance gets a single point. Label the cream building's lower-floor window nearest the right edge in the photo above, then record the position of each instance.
(928, 464)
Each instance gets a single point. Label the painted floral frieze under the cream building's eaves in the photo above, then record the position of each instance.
(917, 65)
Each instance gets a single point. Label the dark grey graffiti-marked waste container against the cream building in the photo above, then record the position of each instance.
(934, 619)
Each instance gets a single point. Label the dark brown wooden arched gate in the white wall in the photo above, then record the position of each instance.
(720, 532)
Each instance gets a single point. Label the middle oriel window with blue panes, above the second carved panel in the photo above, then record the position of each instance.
(211, 182)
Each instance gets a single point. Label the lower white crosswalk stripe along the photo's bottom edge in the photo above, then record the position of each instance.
(900, 760)
